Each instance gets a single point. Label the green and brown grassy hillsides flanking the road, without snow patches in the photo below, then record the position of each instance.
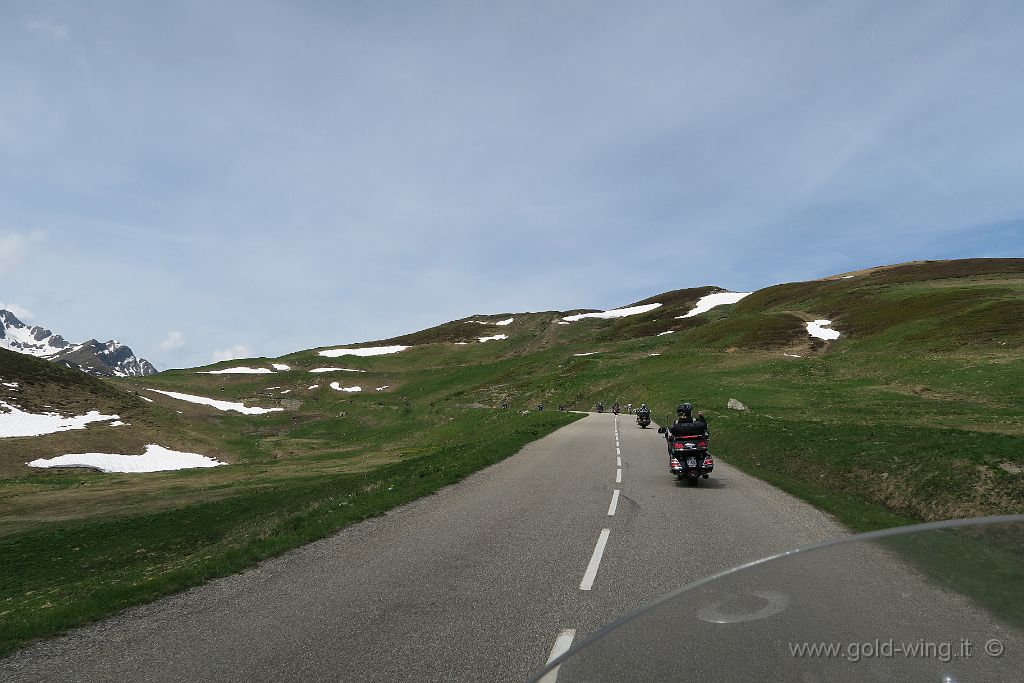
(913, 414)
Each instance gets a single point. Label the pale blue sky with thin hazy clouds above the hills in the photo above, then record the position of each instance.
(206, 181)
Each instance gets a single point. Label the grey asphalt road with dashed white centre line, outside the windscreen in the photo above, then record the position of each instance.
(475, 583)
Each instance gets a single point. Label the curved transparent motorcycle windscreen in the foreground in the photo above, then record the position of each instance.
(933, 603)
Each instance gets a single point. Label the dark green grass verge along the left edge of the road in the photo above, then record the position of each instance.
(55, 579)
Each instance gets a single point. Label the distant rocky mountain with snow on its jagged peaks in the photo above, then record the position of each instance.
(93, 357)
